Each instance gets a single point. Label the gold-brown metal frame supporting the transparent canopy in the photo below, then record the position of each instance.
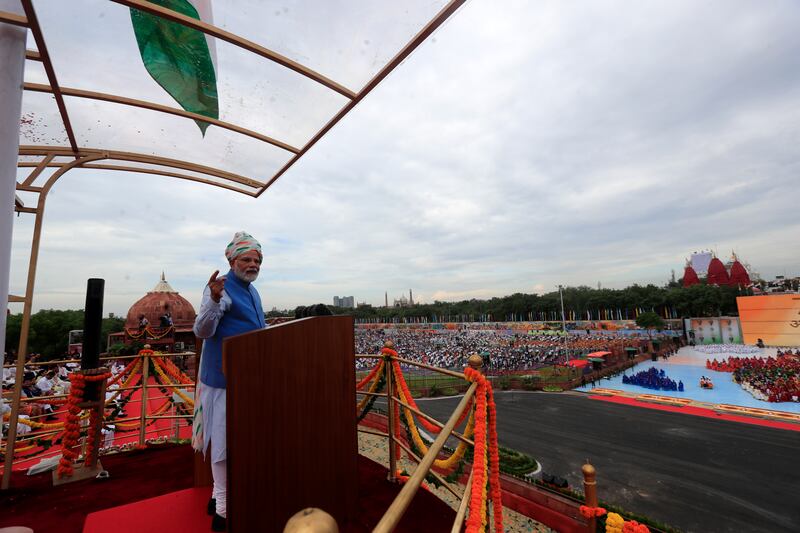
(41, 157)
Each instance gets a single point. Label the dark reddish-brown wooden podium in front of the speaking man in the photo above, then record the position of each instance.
(291, 419)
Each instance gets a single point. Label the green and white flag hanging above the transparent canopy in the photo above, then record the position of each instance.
(182, 60)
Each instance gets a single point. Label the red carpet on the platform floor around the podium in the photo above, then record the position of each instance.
(160, 477)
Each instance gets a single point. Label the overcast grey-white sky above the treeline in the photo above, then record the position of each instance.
(526, 145)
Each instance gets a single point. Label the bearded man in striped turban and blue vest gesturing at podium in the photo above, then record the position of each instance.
(230, 306)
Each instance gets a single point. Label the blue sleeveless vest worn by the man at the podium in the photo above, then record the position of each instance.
(245, 314)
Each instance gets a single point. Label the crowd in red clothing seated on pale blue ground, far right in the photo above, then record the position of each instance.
(771, 379)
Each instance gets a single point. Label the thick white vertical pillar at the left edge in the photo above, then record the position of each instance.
(12, 59)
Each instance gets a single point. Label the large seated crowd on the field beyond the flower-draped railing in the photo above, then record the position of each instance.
(502, 350)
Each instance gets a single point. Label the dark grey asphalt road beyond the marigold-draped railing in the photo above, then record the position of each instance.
(696, 474)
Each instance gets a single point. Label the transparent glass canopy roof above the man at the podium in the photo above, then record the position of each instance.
(285, 72)
